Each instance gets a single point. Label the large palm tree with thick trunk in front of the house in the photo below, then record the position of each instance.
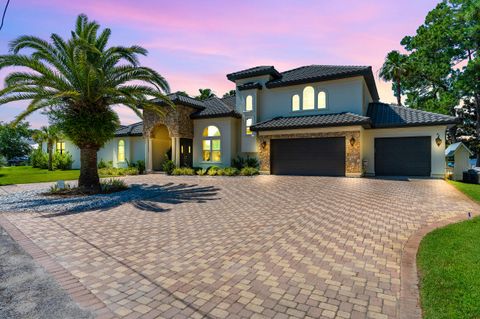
(77, 81)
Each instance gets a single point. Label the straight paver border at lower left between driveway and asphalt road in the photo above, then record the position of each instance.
(79, 293)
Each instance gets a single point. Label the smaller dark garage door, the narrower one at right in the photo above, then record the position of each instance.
(403, 156)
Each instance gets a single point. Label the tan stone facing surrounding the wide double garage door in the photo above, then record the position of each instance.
(353, 161)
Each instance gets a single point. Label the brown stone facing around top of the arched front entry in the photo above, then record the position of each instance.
(177, 121)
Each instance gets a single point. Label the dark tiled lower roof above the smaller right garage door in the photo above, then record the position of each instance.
(386, 115)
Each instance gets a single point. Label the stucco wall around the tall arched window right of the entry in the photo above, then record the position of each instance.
(228, 136)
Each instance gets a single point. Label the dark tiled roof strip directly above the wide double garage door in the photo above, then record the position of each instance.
(310, 121)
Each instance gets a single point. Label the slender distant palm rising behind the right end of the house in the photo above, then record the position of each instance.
(394, 69)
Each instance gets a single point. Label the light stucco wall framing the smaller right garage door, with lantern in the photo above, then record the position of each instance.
(437, 152)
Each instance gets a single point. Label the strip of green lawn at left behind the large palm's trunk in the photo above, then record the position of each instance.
(28, 174)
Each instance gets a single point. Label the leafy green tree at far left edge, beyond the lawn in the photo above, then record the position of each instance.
(13, 140)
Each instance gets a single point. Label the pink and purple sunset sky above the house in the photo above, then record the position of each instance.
(194, 44)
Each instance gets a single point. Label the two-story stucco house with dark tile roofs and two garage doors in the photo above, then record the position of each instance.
(312, 120)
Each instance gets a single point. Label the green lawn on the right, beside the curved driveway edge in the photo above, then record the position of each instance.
(449, 267)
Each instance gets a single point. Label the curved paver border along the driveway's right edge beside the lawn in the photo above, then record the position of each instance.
(409, 302)
